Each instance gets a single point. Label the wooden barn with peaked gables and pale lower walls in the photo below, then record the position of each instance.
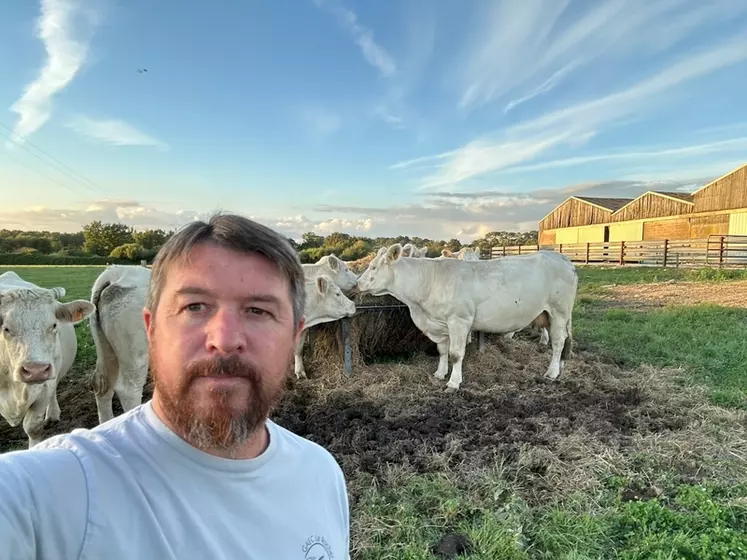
(718, 208)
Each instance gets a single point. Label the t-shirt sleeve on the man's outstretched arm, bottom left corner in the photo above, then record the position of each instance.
(43, 504)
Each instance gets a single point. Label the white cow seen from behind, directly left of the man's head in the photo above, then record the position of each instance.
(118, 331)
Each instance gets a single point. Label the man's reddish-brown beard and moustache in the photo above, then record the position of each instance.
(221, 419)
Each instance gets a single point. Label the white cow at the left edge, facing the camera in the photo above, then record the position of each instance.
(37, 348)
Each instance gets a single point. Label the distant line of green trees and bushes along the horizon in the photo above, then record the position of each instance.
(102, 242)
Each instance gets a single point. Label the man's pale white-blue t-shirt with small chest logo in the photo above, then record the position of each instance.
(131, 488)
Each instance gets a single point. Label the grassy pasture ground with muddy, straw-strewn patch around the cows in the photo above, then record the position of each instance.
(639, 450)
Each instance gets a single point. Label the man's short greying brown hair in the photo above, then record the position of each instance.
(237, 233)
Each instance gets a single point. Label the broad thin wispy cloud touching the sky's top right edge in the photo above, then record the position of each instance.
(525, 49)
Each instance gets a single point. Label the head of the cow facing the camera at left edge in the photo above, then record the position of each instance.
(30, 321)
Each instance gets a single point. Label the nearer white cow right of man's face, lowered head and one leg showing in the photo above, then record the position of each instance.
(325, 303)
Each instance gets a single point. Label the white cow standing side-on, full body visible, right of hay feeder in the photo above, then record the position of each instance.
(449, 297)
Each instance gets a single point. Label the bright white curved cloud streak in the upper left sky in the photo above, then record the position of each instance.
(65, 27)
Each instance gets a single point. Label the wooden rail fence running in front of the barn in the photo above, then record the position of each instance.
(715, 250)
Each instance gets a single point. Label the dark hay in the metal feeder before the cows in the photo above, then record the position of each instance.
(375, 336)
